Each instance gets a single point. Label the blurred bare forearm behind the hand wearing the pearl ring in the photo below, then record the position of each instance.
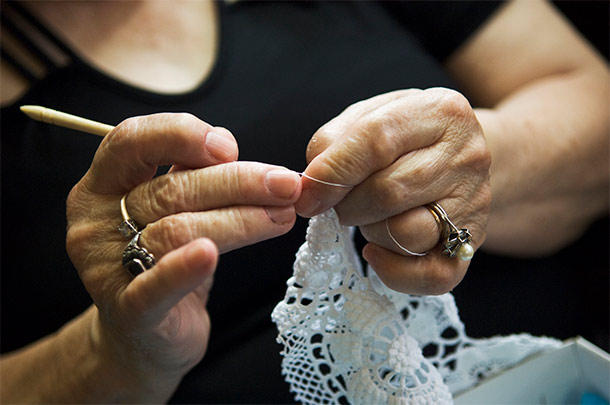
(538, 191)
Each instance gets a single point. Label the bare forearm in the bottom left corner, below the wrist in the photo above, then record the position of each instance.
(65, 367)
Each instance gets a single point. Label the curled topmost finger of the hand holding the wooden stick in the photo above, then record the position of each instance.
(131, 153)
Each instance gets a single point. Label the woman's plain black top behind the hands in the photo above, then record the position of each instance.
(284, 69)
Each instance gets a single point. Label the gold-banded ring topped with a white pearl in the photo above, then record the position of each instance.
(454, 241)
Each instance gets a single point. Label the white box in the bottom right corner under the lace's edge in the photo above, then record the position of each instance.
(557, 377)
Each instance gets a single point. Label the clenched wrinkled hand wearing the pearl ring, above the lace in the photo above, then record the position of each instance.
(398, 152)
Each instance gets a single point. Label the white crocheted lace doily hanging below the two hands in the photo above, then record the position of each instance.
(350, 339)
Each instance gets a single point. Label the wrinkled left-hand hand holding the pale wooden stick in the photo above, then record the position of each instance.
(153, 328)
